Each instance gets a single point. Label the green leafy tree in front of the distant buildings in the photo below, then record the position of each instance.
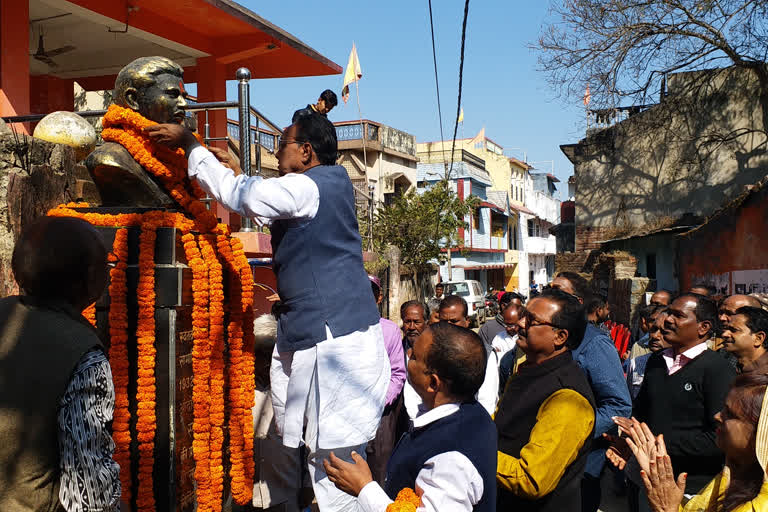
(421, 225)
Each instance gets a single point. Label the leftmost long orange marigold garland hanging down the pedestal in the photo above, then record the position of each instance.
(118, 359)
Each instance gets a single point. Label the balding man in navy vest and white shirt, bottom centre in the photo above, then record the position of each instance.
(449, 469)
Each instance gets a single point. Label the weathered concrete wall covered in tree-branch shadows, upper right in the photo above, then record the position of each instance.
(685, 155)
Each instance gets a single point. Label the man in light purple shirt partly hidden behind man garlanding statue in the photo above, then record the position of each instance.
(380, 448)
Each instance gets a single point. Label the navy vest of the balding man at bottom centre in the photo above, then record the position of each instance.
(469, 431)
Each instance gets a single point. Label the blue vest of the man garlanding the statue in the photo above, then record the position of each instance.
(319, 268)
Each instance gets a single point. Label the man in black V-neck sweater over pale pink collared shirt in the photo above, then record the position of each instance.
(684, 387)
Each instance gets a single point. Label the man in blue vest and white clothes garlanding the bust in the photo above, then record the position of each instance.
(324, 394)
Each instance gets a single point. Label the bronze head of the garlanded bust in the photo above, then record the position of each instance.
(153, 87)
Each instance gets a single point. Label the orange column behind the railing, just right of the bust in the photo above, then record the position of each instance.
(212, 86)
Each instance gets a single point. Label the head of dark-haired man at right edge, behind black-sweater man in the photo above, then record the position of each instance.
(746, 337)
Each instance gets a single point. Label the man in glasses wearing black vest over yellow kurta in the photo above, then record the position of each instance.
(546, 416)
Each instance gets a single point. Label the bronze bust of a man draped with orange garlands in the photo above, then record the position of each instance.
(153, 87)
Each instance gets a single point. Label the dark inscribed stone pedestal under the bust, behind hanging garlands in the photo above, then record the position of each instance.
(174, 464)
